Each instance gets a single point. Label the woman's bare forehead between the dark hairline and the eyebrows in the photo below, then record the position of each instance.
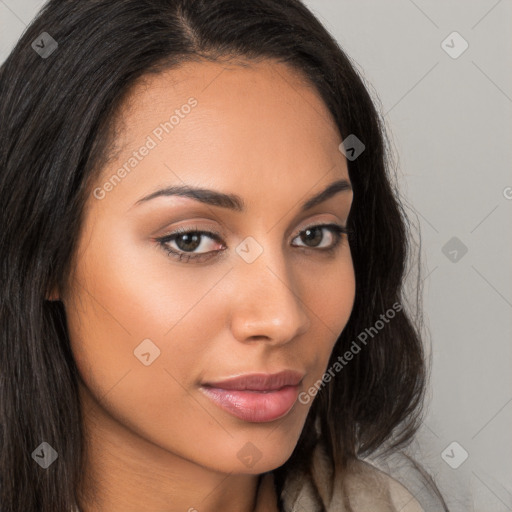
(262, 121)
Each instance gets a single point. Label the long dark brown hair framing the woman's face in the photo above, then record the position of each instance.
(56, 130)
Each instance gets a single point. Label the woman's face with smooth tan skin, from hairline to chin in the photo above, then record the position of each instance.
(152, 319)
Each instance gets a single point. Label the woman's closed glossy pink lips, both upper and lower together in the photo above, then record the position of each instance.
(256, 397)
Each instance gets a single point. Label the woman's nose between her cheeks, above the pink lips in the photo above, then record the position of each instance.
(266, 303)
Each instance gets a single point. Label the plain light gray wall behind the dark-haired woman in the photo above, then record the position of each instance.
(449, 113)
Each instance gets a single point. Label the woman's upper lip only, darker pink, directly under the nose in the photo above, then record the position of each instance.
(259, 381)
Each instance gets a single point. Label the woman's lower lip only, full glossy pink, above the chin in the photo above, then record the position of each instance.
(254, 406)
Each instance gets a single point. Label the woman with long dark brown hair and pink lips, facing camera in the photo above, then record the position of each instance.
(202, 266)
